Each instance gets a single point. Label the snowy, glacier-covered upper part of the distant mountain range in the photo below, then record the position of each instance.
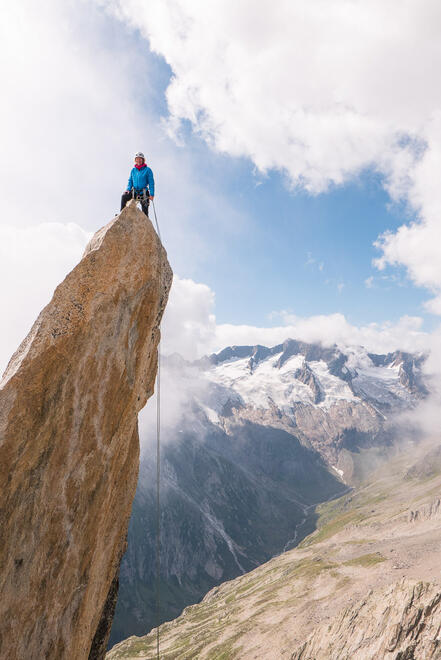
(297, 373)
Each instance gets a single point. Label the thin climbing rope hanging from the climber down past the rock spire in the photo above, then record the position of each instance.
(158, 459)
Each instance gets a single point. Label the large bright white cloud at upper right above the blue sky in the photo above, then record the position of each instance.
(317, 90)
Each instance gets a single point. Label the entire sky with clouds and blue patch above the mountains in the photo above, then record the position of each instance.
(296, 150)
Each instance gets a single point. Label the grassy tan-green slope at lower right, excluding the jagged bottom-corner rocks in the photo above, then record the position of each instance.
(288, 596)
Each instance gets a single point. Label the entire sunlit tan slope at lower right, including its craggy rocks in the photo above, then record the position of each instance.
(366, 585)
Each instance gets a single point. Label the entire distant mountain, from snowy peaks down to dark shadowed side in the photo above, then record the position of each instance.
(260, 437)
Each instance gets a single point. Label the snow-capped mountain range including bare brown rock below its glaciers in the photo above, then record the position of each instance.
(326, 397)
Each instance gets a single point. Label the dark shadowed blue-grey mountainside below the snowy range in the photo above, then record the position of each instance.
(228, 504)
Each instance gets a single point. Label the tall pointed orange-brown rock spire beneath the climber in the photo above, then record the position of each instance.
(69, 444)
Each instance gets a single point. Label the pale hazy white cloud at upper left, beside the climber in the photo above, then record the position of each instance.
(66, 118)
